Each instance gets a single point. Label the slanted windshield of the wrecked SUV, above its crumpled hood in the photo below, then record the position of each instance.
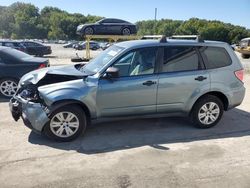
(96, 64)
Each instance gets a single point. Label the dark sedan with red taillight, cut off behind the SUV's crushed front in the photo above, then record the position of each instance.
(13, 65)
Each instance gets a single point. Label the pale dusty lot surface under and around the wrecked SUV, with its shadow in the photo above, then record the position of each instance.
(163, 152)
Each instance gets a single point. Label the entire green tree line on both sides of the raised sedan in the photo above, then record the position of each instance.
(24, 20)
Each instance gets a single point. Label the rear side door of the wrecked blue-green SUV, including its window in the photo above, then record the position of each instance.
(182, 77)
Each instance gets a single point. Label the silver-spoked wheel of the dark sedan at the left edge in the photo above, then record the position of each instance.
(8, 87)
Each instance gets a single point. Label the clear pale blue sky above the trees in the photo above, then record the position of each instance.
(236, 12)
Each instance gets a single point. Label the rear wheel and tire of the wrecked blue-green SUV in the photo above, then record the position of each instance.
(207, 112)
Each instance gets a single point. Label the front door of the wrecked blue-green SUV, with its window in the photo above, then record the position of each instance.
(134, 92)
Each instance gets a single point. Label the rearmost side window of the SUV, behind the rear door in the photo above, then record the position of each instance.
(215, 57)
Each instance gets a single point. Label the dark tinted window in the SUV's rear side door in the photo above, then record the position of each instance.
(180, 58)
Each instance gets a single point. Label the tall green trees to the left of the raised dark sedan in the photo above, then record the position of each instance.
(25, 21)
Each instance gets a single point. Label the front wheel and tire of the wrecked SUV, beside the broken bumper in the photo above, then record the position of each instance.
(61, 129)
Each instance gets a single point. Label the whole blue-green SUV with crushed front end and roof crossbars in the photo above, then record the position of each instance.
(194, 78)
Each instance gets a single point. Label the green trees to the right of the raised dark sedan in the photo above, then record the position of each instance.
(207, 29)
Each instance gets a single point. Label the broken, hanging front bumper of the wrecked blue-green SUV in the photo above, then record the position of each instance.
(33, 114)
